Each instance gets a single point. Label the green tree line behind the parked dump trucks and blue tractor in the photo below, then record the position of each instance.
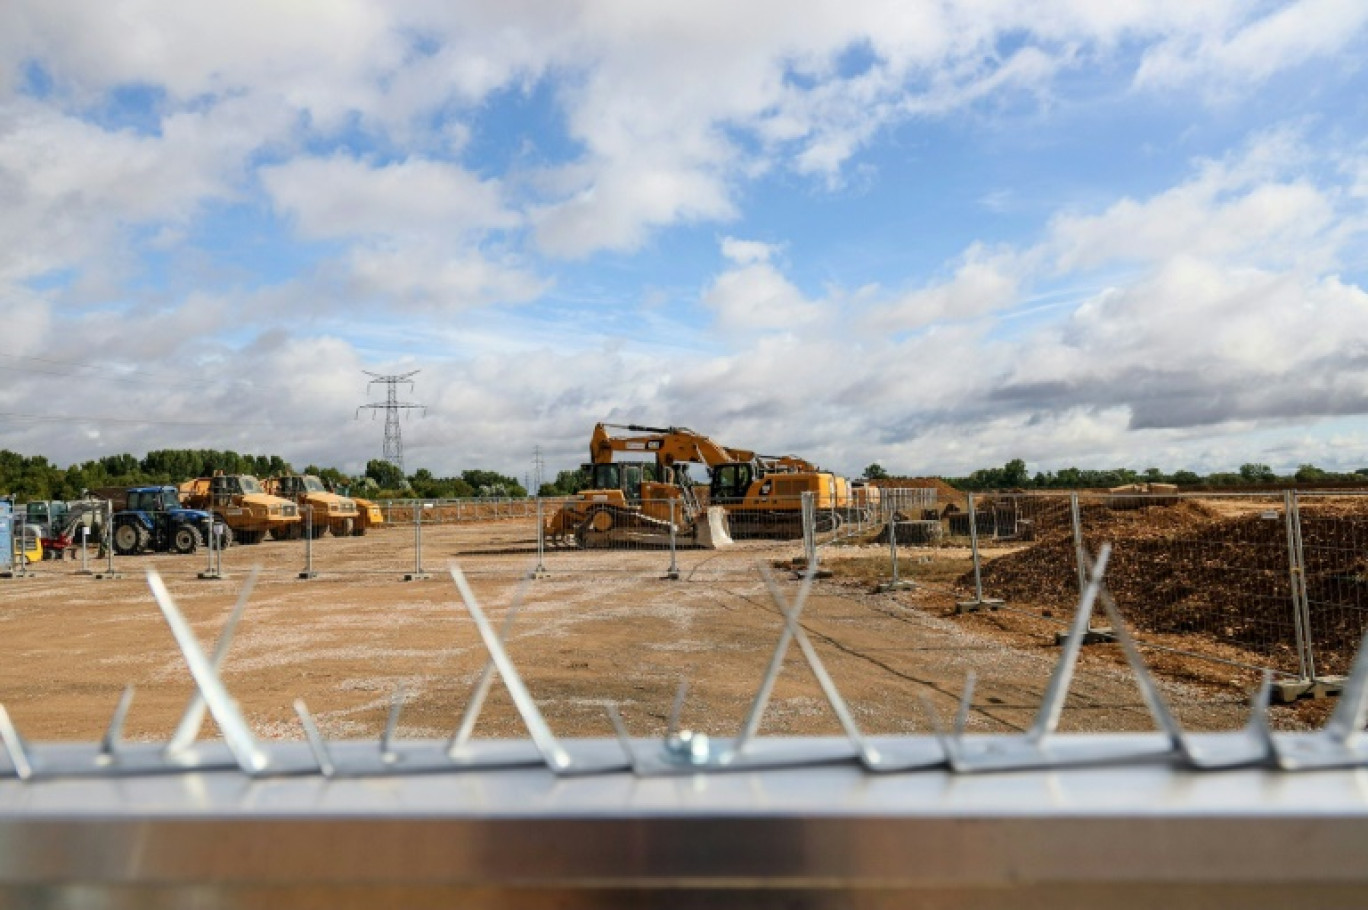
(38, 478)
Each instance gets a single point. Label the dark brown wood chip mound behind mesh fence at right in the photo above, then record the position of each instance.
(1191, 571)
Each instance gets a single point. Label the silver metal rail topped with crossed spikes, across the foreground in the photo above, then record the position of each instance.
(947, 820)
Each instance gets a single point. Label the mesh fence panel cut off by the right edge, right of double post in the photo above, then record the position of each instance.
(1334, 548)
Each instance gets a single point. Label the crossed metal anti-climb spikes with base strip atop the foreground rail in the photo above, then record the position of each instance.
(1341, 744)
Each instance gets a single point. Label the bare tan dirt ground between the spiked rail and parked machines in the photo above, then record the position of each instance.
(598, 627)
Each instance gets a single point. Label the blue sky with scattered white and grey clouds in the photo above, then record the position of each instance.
(935, 236)
